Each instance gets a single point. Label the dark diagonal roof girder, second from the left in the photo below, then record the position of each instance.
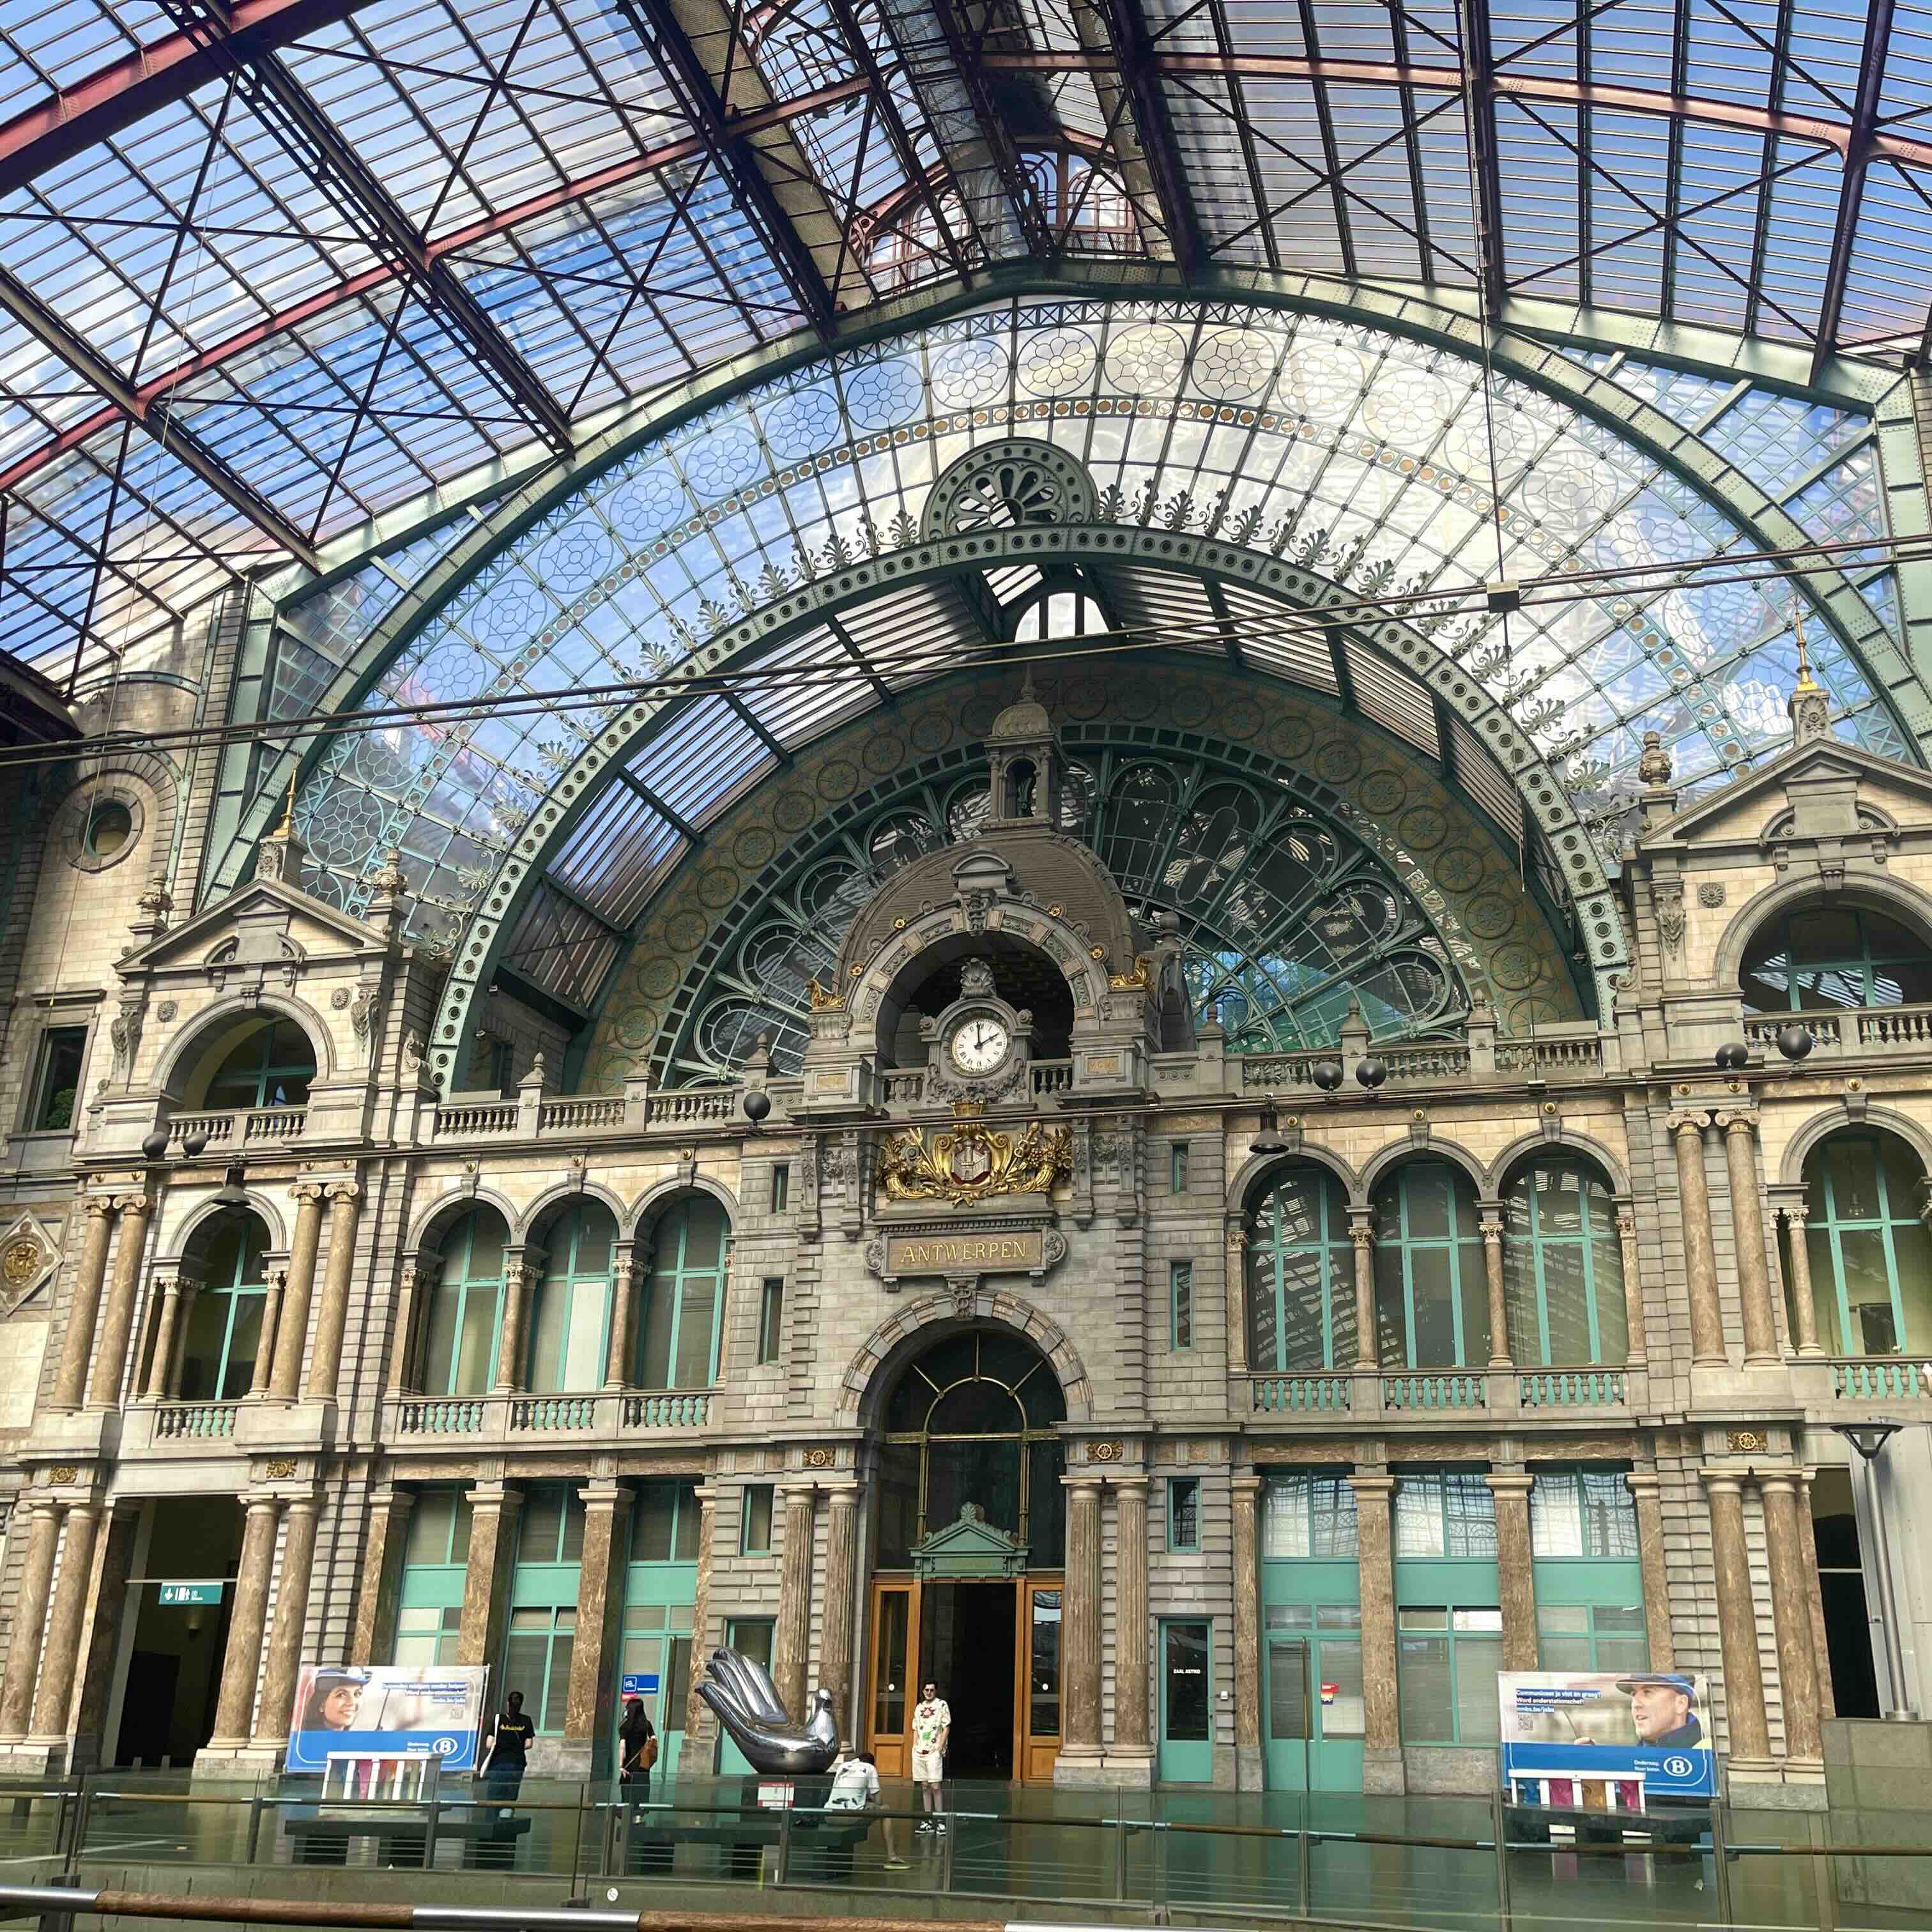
(316, 142)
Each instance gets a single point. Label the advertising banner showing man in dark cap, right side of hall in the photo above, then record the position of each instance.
(1643, 1732)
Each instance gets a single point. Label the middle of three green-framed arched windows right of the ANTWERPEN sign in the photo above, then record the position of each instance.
(1433, 1297)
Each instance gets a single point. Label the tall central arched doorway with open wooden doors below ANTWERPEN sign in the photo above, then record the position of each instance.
(969, 1556)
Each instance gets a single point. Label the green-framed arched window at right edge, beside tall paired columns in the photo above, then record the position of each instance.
(1871, 1257)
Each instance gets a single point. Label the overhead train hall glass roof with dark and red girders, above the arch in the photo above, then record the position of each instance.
(285, 266)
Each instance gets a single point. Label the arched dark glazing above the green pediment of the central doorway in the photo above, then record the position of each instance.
(973, 1423)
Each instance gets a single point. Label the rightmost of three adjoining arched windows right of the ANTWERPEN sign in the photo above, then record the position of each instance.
(1564, 1266)
